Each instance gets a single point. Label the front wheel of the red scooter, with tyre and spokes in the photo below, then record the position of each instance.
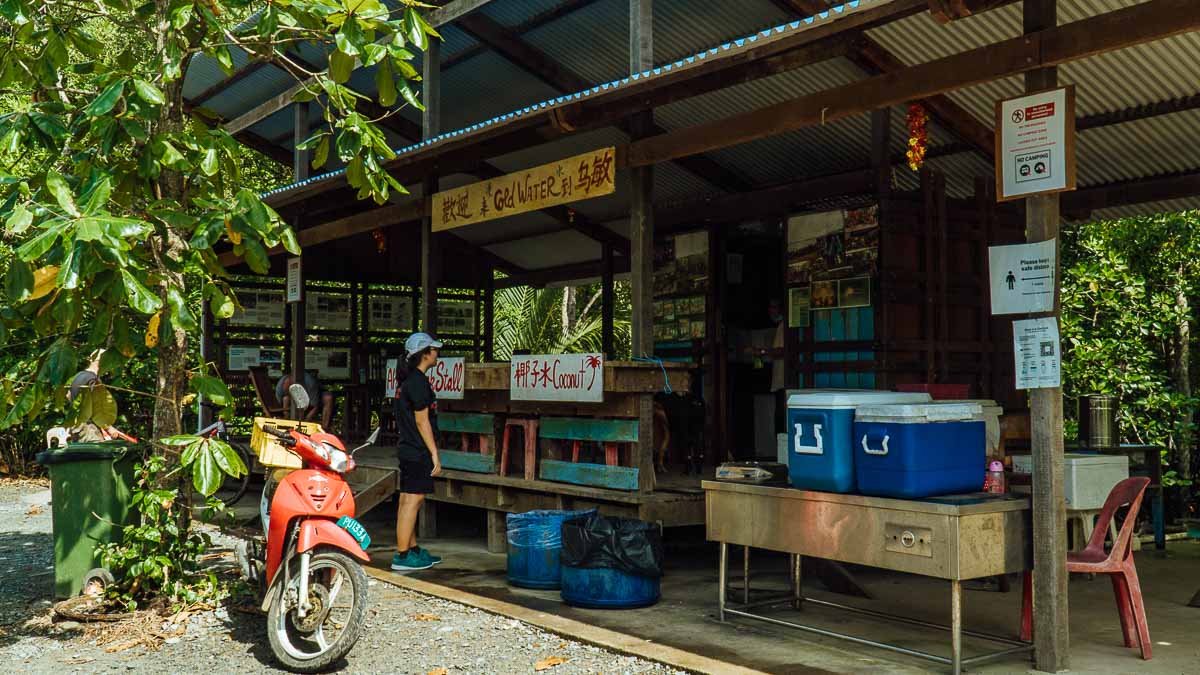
(334, 617)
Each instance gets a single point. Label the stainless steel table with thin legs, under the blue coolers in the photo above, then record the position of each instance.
(956, 539)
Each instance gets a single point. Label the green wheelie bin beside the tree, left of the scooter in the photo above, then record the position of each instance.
(91, 503)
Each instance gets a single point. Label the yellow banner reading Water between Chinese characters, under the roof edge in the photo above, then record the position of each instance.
(583, 177)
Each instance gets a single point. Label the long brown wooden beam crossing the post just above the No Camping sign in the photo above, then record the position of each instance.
(1155, 20)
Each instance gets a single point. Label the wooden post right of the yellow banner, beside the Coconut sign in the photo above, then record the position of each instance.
(641, 236)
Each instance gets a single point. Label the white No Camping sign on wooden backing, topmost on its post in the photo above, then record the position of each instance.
(1036, 145)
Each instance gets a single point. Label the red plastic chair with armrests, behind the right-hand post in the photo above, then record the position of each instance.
(1117, 564)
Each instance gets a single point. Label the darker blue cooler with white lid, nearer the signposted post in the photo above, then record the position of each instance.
(920, 451)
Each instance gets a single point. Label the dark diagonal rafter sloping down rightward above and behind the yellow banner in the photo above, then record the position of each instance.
(542, 67)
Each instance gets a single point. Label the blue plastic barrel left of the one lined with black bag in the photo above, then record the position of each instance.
(536, 542)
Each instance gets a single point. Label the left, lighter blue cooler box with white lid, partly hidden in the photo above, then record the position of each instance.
(820, 435)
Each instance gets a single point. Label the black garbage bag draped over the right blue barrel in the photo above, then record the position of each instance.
(633, 547)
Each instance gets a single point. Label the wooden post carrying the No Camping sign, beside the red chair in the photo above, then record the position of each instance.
(1052, 632)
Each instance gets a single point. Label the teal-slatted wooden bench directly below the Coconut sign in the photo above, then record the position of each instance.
(613, 434)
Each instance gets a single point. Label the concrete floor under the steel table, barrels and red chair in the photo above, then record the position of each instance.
(687, 616)
